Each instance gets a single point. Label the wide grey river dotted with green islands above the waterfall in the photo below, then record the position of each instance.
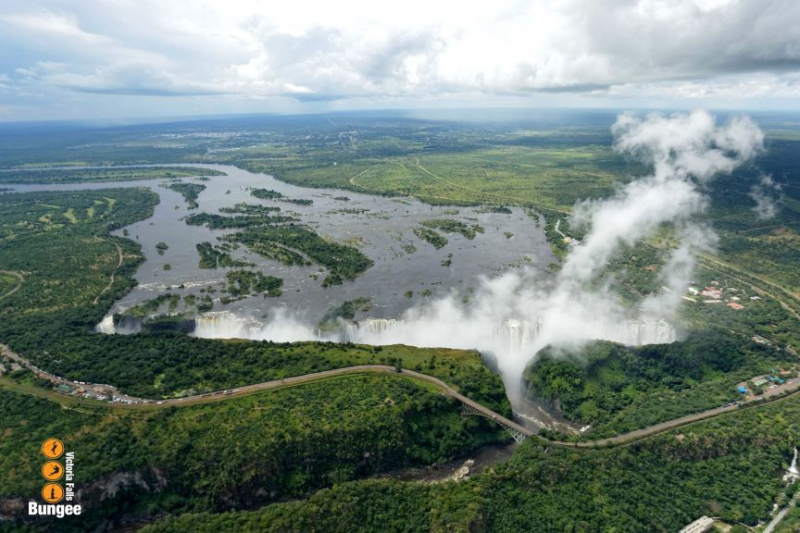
(380, 227)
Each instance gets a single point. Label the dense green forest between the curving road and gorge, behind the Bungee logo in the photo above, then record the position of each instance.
(239, 453)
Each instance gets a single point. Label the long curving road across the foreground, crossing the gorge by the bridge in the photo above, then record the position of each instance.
(790, 387)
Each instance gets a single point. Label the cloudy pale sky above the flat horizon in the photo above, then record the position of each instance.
(106, 59)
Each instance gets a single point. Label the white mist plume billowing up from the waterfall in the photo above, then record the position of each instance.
(514, 315)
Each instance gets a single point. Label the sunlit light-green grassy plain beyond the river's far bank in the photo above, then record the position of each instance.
(544, 177)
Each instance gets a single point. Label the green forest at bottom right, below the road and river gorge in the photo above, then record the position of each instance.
(729, 467)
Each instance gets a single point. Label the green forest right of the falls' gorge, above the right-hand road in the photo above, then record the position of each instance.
(616, 388)
